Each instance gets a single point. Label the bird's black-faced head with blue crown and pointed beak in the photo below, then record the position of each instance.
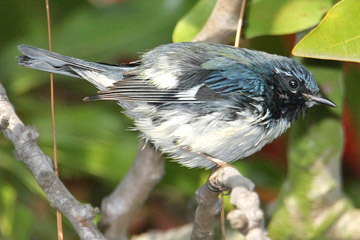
(291, 88)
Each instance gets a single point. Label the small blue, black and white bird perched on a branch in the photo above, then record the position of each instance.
(195, 100)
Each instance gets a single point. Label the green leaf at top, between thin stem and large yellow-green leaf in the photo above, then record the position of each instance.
(278, 17)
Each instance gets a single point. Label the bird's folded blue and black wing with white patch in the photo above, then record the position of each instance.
(203, 81)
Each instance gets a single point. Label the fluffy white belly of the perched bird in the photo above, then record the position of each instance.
(181, 136)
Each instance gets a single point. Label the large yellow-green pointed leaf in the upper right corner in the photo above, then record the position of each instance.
(337, 37)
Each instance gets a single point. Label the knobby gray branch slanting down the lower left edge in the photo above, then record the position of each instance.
(27, 150)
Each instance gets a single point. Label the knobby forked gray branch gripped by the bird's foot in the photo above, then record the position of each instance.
(247, 218)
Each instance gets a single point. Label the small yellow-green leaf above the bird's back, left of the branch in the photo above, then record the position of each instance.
(188, 26)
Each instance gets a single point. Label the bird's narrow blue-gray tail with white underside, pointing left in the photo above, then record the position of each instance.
(101, 75)
